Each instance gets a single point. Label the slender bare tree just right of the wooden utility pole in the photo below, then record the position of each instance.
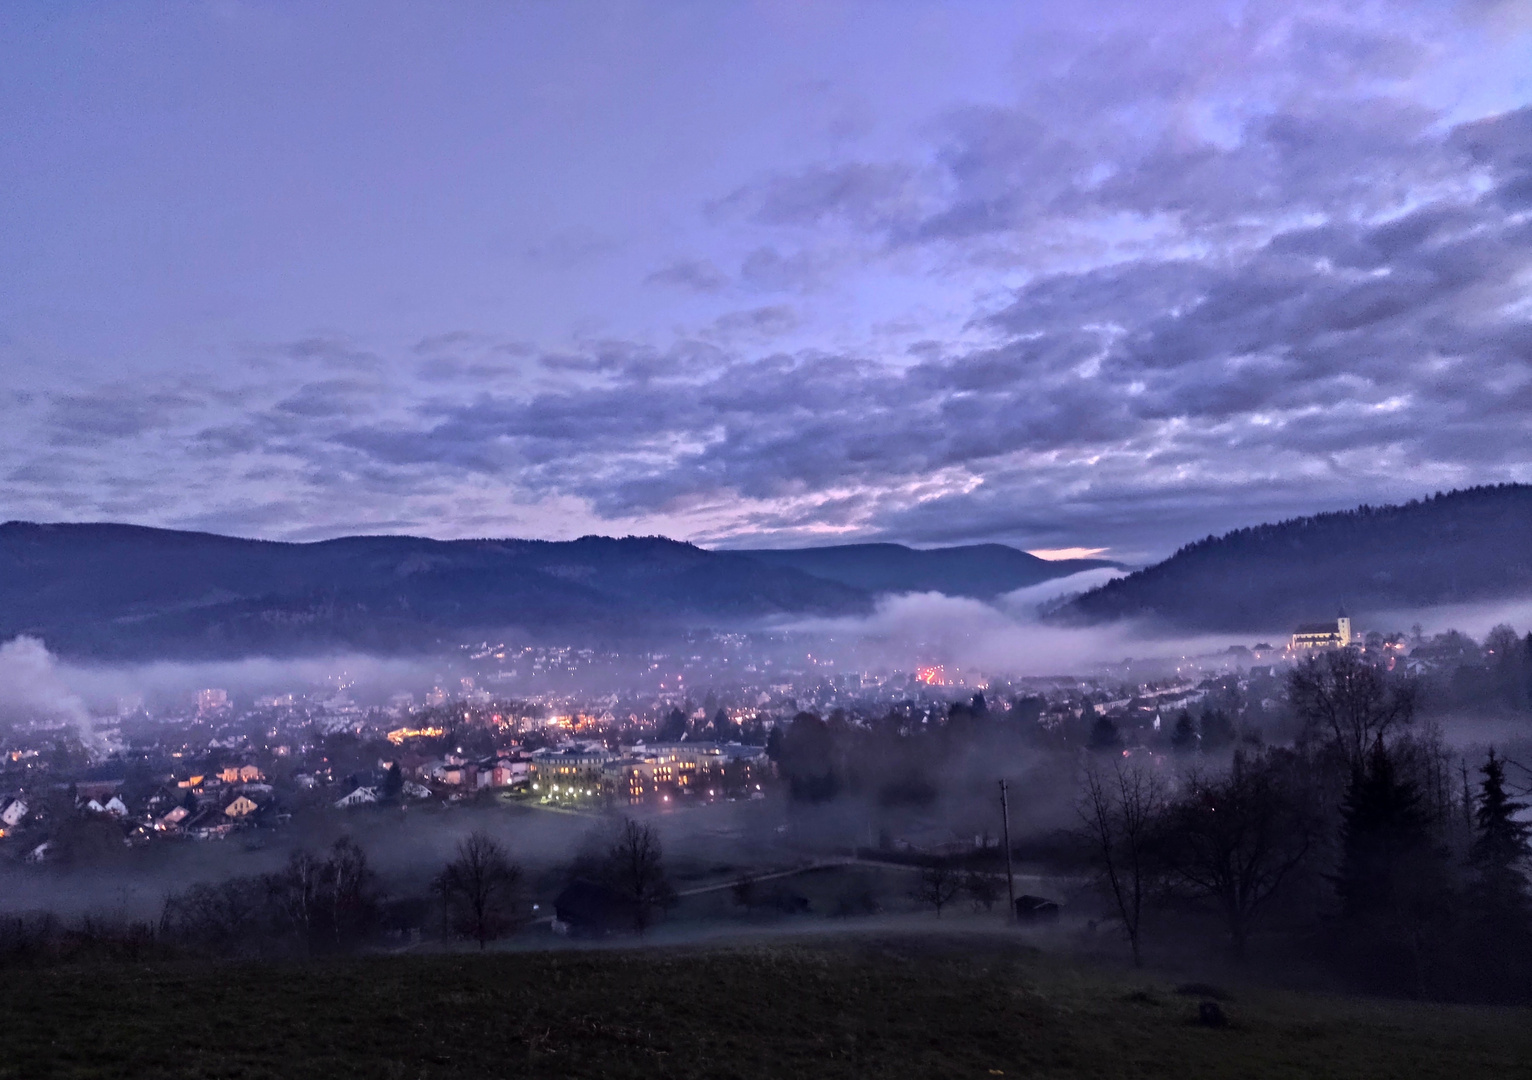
(1122, 813)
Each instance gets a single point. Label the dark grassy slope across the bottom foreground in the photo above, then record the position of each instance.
(853, 1009)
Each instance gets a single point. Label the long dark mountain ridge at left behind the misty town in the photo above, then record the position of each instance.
(133, 592)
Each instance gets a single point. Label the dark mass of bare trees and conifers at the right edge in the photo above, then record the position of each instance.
(1361, 845)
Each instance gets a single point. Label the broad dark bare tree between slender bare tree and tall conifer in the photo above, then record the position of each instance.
(1234, 840)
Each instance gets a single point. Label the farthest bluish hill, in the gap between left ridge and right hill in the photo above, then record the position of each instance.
(980, 571)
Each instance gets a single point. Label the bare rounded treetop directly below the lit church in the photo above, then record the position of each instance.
(1352, 701)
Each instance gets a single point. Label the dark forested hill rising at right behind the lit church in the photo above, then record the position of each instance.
(1473, 545)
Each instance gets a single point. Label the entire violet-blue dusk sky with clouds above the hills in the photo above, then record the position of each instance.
(1061, 277)
